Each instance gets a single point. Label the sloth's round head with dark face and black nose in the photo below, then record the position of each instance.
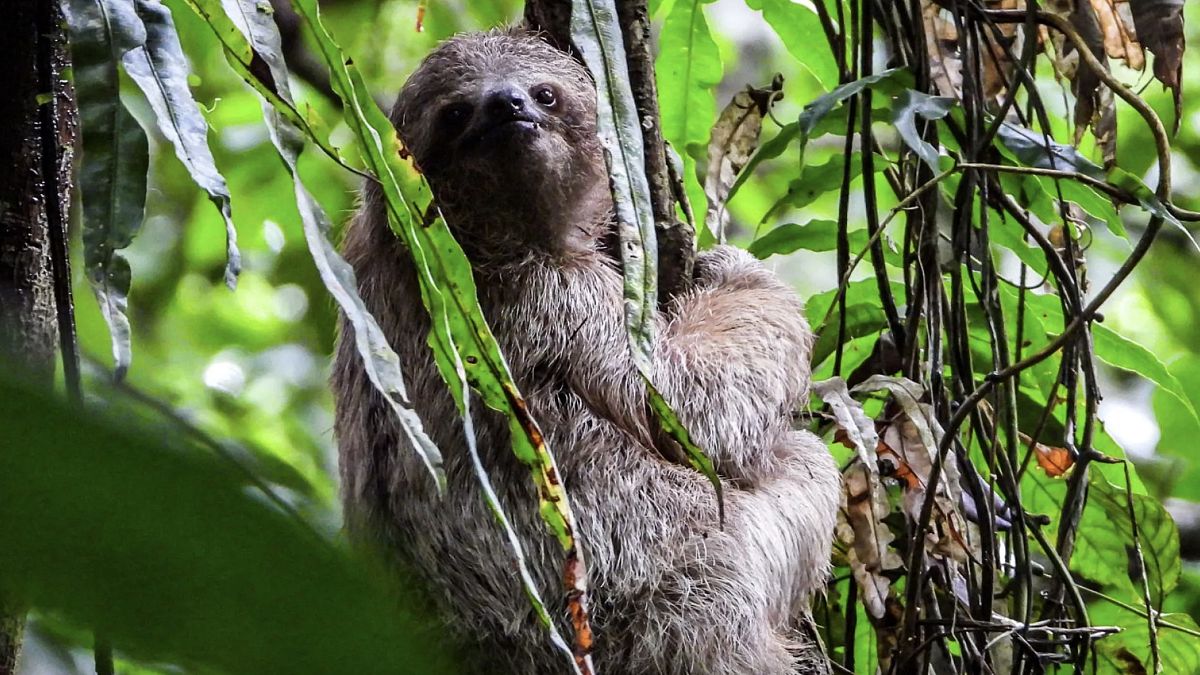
(503, 126)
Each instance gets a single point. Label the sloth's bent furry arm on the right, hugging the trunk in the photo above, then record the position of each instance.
(733, 361)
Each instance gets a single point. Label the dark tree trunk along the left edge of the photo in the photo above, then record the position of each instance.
(32, 32)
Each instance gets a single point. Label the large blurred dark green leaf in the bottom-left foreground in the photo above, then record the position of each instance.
(169, 554)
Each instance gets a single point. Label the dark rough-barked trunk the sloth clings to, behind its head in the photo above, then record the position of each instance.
(676, 240)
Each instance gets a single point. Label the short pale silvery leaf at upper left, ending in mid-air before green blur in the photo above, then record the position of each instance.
(160, 70)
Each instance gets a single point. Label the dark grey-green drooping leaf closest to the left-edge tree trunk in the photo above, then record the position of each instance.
(116, 158)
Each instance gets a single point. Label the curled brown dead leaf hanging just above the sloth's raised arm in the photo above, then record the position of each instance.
(735, 140)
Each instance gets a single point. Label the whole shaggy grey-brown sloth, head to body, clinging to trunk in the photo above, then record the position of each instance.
(671, 593)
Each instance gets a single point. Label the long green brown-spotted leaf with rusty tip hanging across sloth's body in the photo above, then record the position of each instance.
(464, 345)
